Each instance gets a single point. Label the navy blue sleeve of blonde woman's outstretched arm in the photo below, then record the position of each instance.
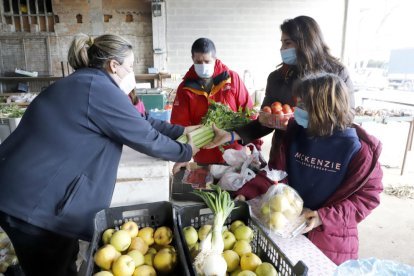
(111, 112)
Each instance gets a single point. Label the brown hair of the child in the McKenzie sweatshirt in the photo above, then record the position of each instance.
(325, 98)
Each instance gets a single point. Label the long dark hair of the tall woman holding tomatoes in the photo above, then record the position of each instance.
(313, 55)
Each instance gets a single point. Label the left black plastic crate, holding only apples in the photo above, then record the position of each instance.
(154, 214)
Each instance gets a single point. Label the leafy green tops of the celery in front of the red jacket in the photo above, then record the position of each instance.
(225, 118)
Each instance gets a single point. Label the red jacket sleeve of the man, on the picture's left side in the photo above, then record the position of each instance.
(180, 113)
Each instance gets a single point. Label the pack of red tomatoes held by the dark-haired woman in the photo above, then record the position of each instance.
(277, 115)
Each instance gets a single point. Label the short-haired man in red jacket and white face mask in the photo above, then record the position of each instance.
(207, 79)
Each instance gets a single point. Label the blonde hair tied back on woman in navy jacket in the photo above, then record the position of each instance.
(87, 52)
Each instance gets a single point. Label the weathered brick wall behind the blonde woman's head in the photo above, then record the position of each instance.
(129, 18)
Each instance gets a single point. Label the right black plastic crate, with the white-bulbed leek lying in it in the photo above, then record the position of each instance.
(199, 214)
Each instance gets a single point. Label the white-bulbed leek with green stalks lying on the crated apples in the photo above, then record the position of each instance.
(210, 261)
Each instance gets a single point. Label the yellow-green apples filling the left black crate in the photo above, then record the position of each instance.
(134, 251)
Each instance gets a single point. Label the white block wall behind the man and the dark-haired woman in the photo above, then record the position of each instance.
(246, 33)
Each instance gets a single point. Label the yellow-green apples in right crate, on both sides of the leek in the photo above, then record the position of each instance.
(240, 259)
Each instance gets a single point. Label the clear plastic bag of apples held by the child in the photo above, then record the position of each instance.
(281, 205)
